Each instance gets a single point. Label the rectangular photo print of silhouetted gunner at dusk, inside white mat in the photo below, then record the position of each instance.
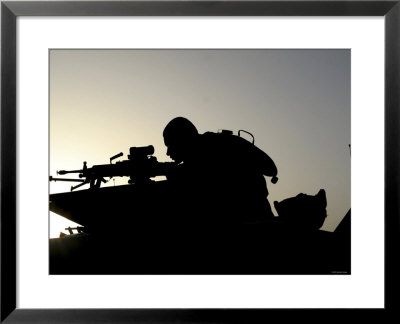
(200, 161)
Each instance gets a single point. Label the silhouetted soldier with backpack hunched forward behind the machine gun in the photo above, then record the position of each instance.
(219, 176)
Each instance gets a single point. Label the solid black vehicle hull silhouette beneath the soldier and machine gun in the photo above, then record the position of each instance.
(150, 229)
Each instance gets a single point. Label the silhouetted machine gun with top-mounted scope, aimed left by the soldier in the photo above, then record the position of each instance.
(140, 167)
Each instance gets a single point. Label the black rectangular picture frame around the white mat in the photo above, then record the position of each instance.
(10, 10)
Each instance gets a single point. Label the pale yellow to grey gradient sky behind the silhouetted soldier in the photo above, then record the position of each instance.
(296, 103)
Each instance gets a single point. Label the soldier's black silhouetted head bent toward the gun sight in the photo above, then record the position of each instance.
(179, 136)
